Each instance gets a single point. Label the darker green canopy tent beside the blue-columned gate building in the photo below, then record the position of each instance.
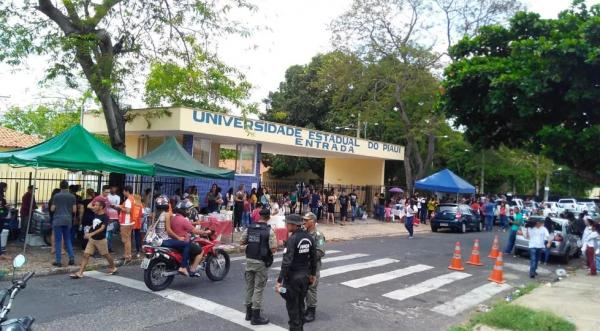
(171, 159)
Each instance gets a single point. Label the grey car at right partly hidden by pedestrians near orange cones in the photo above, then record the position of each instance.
(565, 244)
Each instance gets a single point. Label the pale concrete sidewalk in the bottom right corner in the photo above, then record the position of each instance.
(574, 298)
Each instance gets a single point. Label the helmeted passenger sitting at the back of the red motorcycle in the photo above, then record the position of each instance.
(166, 235)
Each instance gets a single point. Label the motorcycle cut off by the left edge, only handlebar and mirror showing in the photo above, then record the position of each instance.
(8, 295)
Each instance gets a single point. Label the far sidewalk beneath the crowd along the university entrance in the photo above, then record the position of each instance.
(39, 259)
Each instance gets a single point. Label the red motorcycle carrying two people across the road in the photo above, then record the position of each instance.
(161, 264)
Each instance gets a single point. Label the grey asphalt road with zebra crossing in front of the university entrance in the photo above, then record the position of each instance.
(390, 283)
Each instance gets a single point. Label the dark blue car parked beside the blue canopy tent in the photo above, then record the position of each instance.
(457, 217)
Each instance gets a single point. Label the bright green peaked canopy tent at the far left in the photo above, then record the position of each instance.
(74, 149)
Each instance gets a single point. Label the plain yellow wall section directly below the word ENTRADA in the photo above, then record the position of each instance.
(354, 171)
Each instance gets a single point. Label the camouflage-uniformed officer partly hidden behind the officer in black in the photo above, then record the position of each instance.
(310, 221)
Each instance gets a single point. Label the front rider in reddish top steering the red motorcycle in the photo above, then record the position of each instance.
(182, 227)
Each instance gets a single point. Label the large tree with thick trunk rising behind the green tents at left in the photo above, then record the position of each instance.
(110, 42)
